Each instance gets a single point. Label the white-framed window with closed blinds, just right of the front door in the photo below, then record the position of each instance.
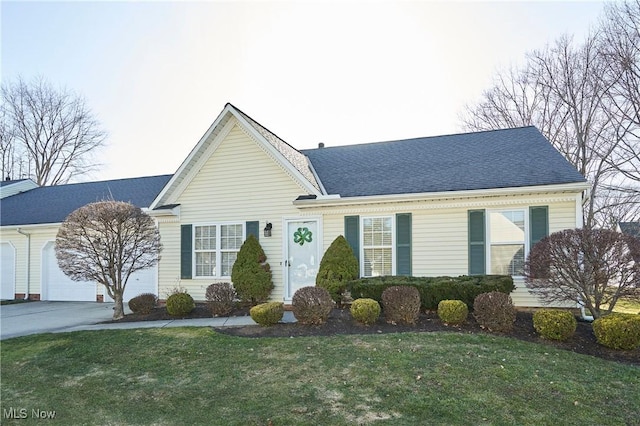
(377, 246)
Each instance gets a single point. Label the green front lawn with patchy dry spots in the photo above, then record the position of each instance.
(195, 376)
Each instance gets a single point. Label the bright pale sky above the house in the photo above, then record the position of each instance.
(156, 74)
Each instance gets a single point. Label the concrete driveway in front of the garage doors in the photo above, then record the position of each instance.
(22, 319)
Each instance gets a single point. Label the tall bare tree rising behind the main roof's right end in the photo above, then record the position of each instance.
(565, 90)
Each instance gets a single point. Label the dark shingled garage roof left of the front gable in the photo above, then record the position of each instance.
(52, 204)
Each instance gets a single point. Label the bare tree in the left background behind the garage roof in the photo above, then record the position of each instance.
(52, 129)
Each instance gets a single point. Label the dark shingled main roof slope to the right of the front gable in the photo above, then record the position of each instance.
(492, 159)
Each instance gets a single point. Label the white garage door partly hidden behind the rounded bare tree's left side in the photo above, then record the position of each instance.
(57, 286)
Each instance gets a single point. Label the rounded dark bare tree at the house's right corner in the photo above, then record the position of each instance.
(592, 267)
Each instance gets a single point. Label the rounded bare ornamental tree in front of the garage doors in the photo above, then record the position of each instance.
(106, 242)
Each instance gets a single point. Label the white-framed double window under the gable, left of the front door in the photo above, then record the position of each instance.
(216, 248)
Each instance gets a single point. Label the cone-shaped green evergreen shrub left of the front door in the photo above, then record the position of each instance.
(251, 275)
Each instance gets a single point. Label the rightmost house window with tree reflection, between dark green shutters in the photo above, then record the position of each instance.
(507, 241)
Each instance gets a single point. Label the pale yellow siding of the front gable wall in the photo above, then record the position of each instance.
(240, 182)
